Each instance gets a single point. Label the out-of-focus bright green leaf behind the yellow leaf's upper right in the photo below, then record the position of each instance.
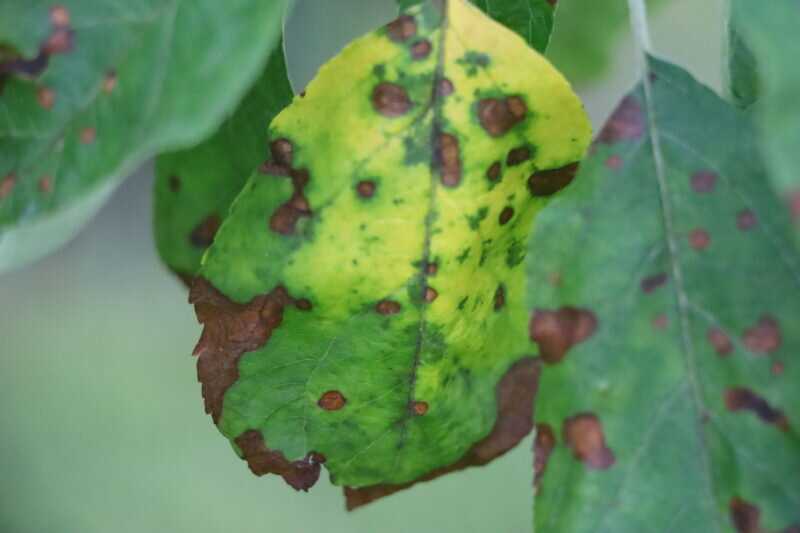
(585, 34)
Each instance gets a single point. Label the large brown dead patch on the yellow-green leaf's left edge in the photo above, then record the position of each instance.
(229, 330)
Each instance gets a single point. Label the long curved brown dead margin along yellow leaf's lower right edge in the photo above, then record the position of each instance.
(515, 394)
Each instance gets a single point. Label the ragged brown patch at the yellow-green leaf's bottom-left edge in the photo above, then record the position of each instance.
(300, 475)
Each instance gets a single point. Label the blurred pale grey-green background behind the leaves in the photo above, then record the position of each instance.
(103, 428)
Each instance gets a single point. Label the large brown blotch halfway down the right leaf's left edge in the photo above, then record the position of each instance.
(557, 331)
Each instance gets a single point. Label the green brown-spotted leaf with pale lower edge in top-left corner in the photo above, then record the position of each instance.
(104, 86)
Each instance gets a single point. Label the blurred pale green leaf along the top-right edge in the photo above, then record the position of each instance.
(769, 30)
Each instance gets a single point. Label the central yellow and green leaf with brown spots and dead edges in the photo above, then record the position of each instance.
(362, 303)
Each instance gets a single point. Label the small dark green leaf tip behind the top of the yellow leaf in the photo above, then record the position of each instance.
(532, 19)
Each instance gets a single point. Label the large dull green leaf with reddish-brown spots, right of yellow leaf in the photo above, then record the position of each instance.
(664, 290)
